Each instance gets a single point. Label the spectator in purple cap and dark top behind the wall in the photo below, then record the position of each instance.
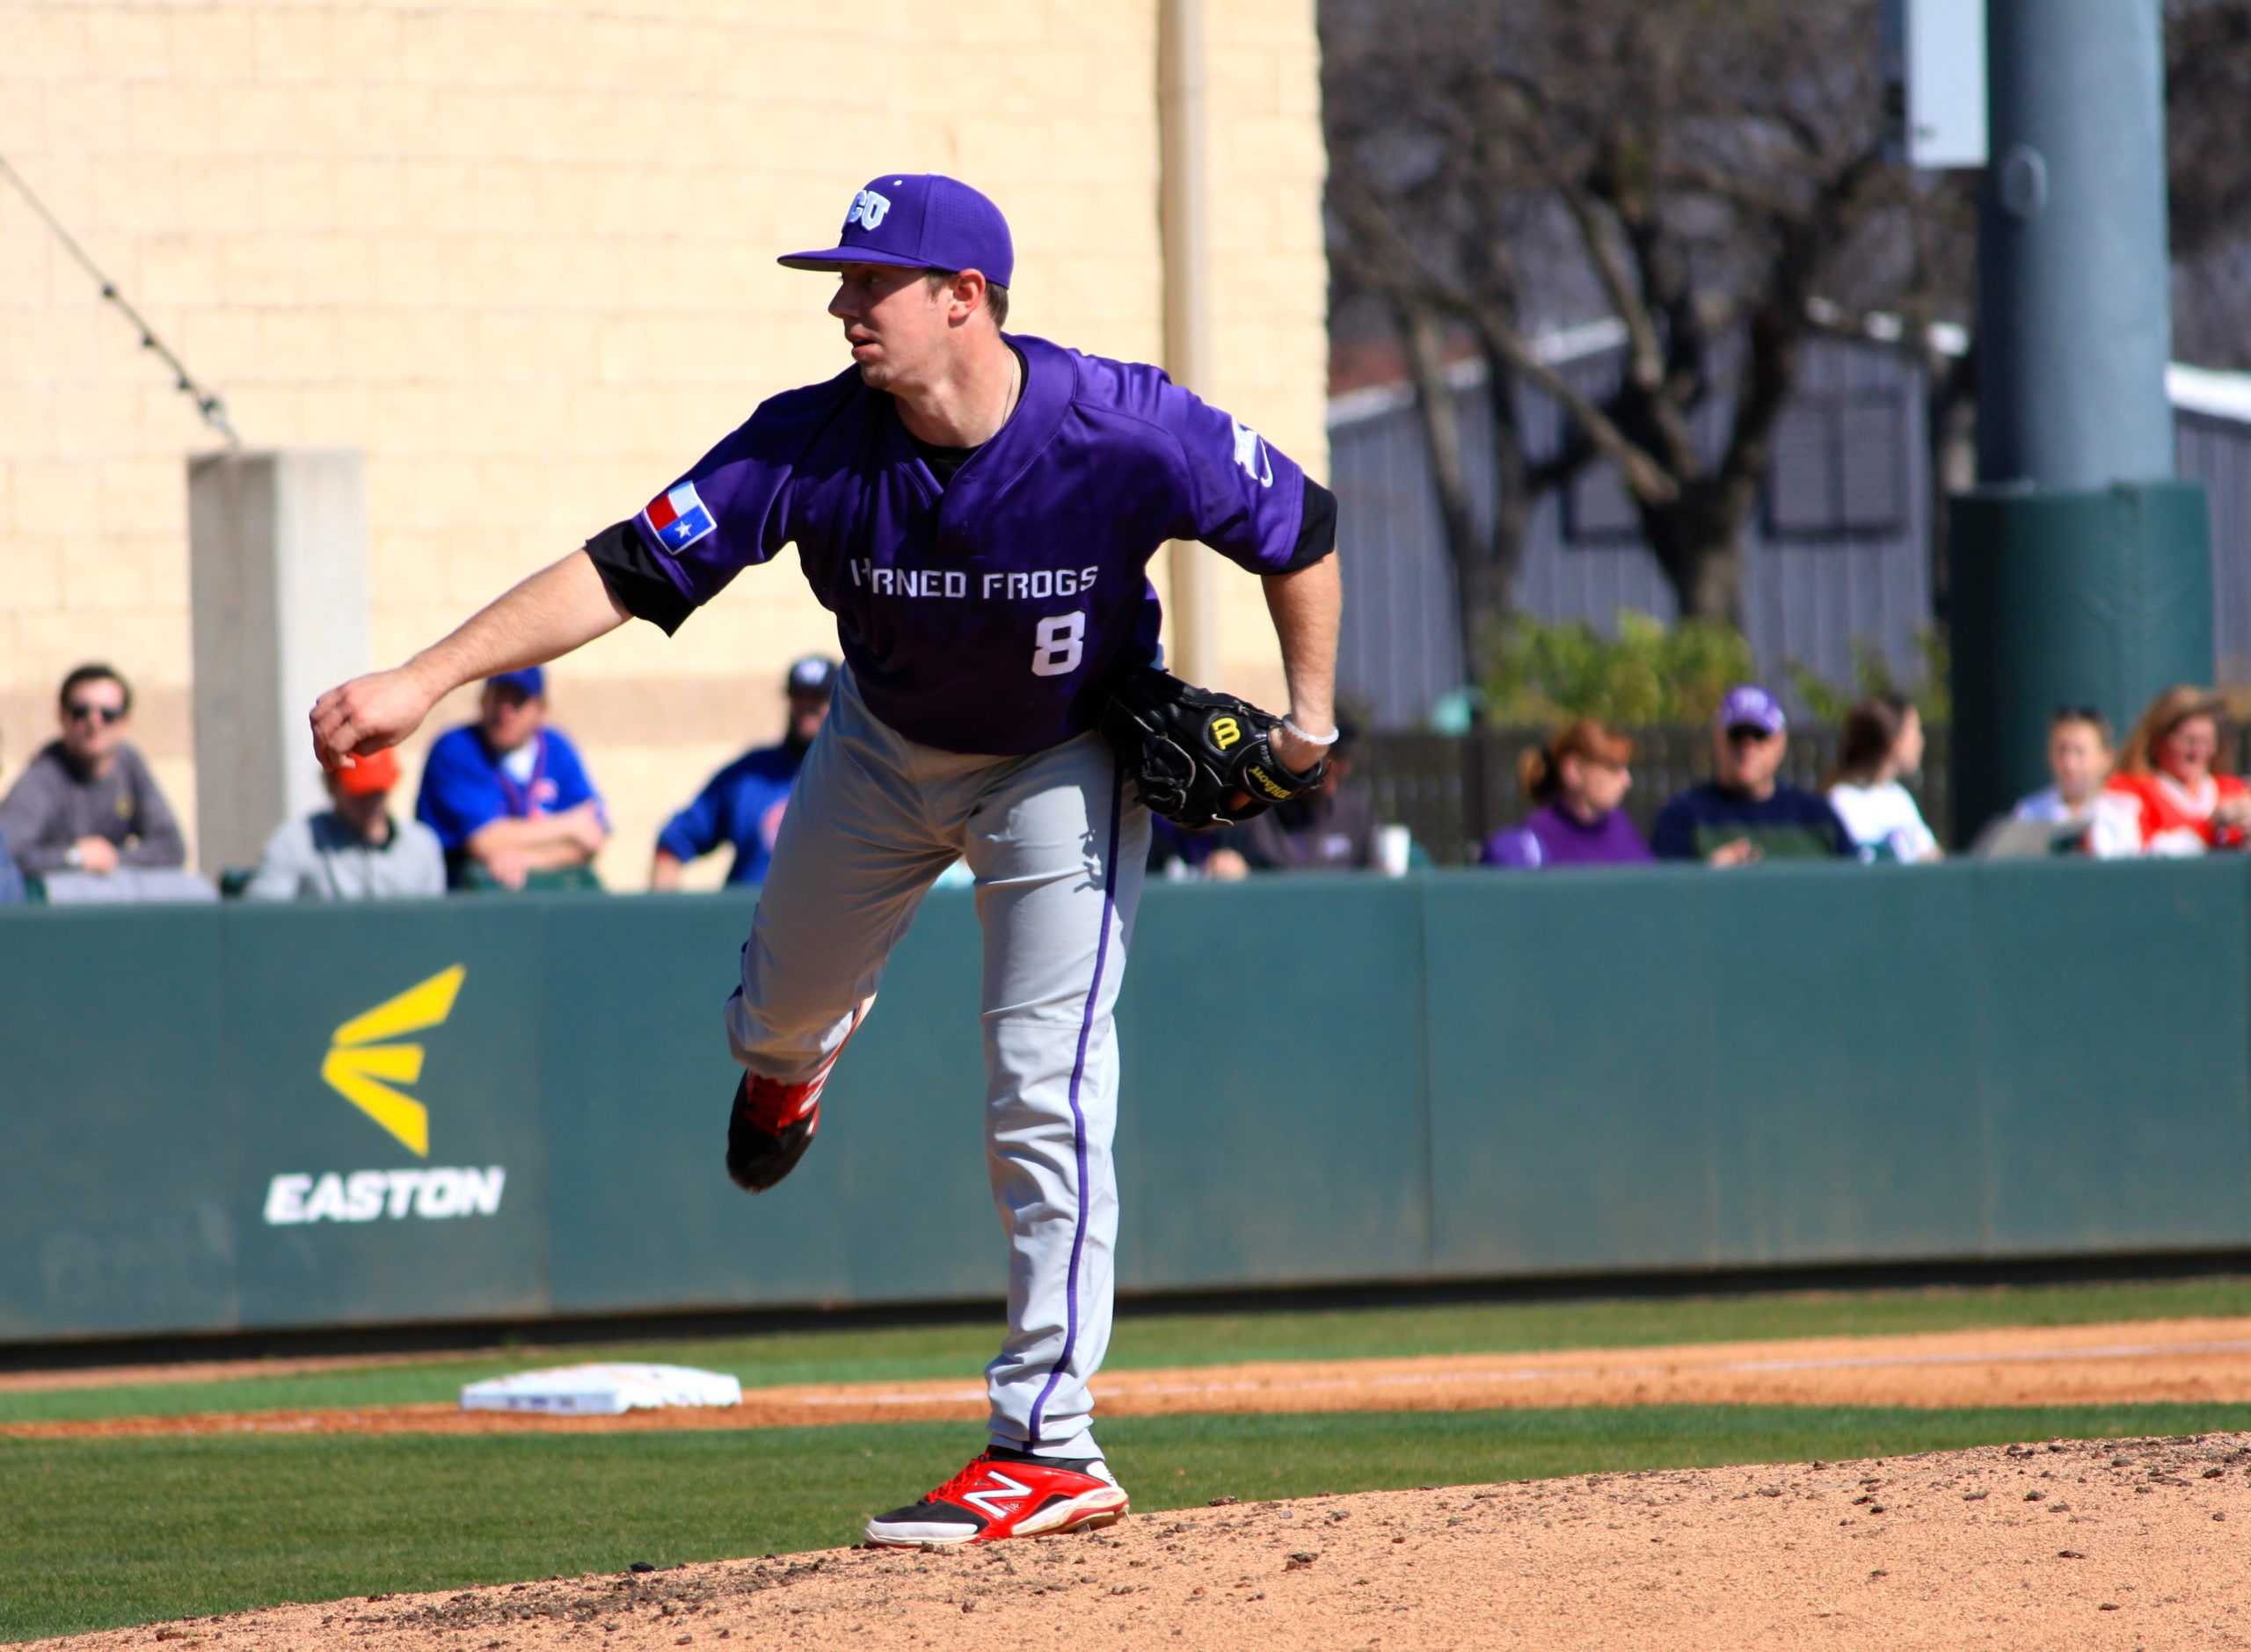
(1743, 811)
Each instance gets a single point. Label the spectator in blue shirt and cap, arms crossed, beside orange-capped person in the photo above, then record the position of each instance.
(508, 796)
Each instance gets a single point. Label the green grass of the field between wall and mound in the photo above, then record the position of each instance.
(107, 1534)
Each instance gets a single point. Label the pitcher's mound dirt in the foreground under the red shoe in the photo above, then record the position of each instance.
(2061, 1545)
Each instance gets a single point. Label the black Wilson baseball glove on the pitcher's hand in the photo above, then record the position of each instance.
(1199, 757)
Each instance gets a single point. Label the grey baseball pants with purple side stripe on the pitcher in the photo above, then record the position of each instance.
(1059, 854)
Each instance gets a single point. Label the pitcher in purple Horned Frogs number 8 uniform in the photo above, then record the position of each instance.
(978, 510)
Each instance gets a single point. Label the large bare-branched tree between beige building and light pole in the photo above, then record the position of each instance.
(1714, 170)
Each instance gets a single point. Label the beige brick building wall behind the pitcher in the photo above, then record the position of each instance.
(521, 255)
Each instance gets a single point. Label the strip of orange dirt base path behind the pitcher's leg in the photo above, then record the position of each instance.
(2070, 1365)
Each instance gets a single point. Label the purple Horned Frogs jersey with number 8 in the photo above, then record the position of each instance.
(989, 611)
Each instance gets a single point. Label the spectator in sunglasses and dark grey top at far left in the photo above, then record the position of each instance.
(89, 802)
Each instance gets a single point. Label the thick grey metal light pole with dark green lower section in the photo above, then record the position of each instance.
(2081, 566)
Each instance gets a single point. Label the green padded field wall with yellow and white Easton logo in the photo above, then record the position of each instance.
(258, 1117)
